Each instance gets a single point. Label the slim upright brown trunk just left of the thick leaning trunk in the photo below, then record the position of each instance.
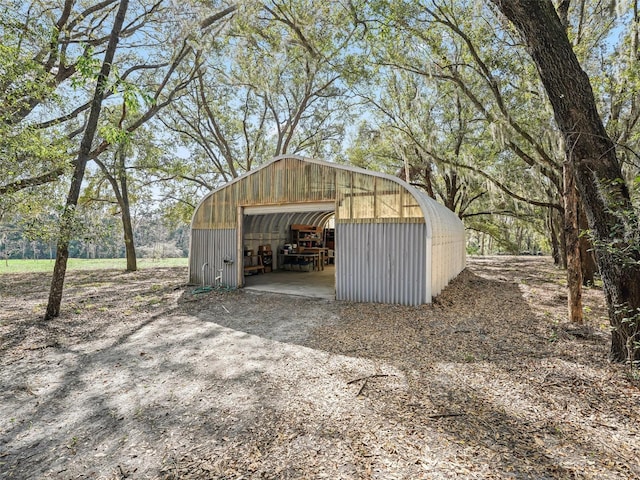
(572, 245)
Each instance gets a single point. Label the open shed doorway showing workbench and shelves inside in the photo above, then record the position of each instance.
(290, 249)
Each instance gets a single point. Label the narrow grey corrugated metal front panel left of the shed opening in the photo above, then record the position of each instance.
(212, 247)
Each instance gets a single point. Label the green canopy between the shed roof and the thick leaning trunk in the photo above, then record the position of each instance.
(470, 120)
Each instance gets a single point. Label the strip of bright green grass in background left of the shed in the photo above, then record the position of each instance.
(23, 266)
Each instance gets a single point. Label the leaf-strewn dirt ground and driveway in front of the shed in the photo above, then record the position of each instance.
(140, 378)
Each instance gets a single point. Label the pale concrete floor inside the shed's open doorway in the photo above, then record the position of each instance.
(314, 284)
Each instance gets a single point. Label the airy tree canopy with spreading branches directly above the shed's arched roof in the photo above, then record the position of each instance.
(273, 84)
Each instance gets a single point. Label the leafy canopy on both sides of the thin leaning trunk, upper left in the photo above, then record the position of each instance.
(51, 55)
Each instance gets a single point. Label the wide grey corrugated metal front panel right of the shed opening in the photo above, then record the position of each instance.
(382, 263)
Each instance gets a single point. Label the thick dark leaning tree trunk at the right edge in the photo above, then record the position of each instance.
(597, 171)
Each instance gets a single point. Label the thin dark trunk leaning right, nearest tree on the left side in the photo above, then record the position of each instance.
(68, 216)
